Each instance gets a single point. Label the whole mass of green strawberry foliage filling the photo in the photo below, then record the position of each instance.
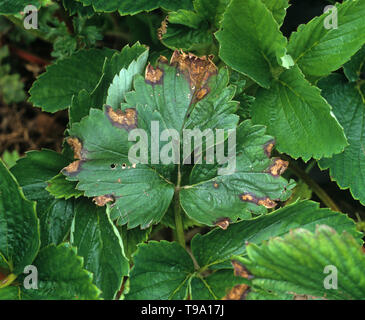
(185, 171)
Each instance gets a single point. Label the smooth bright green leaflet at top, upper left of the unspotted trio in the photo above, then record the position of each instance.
(250, 40)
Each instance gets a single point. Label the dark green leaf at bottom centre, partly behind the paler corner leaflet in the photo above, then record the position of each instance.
(164, 270)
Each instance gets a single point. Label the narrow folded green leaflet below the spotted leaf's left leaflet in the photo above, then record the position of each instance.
(99, 243)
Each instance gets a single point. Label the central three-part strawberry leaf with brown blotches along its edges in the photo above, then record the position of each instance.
(187, 93)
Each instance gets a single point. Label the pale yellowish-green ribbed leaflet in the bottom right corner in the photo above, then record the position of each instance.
(297, 262)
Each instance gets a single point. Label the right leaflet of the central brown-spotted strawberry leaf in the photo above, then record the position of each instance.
(248, 190)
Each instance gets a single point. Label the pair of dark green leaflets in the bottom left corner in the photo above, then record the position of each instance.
(60, 271)
